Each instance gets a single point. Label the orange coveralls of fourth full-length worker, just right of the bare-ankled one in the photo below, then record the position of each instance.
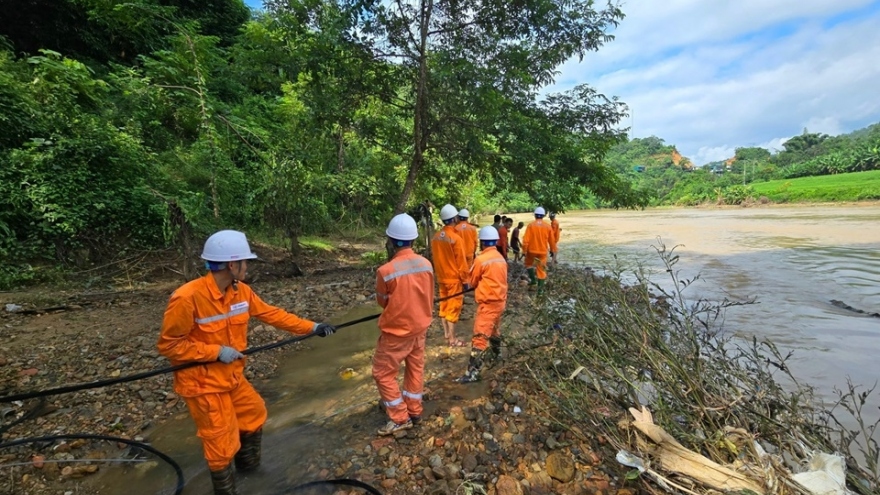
(489, 276)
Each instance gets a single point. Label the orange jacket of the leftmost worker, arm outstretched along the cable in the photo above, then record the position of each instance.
(200, 319)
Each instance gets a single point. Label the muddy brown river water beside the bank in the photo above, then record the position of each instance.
(793, 260)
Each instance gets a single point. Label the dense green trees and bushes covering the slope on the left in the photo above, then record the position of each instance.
(134, 125)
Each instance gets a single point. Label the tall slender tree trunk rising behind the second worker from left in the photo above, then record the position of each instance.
(420, 117)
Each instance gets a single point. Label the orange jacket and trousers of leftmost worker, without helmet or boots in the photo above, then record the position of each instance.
(198, 321)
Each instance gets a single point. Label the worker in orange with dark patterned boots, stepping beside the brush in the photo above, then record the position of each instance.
(489, 277)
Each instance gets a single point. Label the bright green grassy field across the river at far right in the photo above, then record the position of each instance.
(857, 186)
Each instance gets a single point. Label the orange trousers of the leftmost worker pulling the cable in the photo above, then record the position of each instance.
(221, 417)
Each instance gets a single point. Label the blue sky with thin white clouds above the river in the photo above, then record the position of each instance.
(713, 75)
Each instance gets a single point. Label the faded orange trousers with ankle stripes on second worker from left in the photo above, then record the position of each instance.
(392, 350)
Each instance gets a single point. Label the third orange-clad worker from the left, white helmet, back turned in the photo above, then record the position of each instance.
(451, 270)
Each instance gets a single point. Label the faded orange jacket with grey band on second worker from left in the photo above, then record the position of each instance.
(405, 289)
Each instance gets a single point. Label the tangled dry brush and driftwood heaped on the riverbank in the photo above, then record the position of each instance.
(725, 413)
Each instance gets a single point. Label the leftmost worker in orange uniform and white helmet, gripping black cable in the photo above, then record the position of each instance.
(206, 322)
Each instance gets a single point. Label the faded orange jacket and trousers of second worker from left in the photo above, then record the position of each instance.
(405, 289)
